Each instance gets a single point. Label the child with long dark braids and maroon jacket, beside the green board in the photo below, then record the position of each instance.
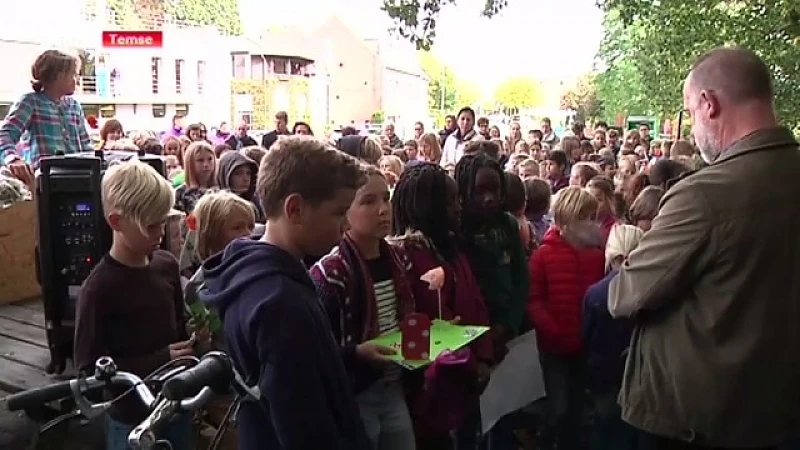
(426, 215)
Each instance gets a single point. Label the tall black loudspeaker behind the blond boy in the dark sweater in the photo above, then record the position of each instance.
(72, 237)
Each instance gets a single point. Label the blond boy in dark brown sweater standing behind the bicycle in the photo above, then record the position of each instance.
(131, 306)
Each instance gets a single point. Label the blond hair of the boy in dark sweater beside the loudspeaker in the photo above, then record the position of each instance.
(137, 191)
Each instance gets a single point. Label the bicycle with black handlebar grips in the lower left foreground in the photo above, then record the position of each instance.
(188, 384)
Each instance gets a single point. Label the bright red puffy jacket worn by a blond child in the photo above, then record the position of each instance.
(560, 276)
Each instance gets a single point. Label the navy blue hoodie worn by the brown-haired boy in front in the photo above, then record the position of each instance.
(278, 334)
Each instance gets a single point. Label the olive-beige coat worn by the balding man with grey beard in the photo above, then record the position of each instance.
(714, 289)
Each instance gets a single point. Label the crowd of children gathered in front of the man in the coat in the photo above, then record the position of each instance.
(527, 233)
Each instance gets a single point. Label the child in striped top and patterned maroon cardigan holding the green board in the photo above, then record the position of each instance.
(363, 287)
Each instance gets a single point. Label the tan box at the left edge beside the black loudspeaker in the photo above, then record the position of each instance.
(17, 253)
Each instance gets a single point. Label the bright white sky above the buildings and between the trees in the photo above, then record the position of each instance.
(542, 39)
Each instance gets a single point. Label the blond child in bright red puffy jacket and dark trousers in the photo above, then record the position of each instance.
(570, 259)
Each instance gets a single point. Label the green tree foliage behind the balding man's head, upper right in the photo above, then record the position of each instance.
(658, 42)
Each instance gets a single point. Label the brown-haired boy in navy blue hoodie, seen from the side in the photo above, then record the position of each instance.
(276, 331)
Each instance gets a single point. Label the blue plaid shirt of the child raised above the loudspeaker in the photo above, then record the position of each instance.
(51, 127)
